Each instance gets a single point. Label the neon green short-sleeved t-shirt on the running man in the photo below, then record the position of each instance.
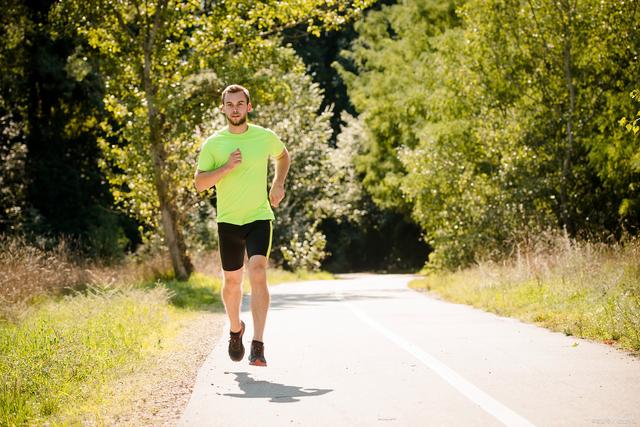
(242, 194)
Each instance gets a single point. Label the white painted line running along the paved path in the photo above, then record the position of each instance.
(473, 393)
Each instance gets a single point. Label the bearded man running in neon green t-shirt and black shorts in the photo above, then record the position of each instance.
(235, 160)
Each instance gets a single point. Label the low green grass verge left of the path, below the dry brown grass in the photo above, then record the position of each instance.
(59, 359)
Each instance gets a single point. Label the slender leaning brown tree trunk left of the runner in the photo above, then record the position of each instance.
(174, 239)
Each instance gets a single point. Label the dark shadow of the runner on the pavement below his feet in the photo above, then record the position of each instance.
(278, 393)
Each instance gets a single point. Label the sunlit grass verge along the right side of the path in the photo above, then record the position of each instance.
(582, 289)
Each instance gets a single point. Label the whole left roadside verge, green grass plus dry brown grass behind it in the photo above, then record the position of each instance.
(69, 332)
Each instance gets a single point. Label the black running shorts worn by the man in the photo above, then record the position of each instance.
(254, 236)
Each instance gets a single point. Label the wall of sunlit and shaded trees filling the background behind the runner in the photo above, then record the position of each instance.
(423, 126)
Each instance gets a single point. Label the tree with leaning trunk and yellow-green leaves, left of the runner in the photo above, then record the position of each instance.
(158, 82)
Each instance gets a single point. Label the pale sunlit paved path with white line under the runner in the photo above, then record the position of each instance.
(368, 351)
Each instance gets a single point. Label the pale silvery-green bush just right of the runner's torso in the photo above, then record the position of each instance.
(310, 189)
